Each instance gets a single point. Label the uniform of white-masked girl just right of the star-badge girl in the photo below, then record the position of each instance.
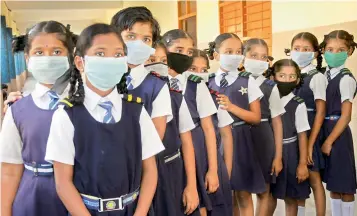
(263, 134)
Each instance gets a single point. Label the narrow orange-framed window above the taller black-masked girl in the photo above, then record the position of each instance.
(187, 15)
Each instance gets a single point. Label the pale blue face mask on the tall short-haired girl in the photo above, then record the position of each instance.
(138, 52)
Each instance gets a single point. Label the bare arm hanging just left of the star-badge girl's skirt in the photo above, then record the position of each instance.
(227, 141)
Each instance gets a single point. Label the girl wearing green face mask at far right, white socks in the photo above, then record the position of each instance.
(340, 171)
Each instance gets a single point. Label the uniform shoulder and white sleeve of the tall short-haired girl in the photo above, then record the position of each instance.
(152, 89)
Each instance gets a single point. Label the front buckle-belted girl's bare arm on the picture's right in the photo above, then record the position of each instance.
(147, 187)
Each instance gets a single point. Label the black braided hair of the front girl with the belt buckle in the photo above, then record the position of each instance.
(85, 40)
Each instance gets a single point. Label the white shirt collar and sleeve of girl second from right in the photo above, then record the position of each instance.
(318, 83)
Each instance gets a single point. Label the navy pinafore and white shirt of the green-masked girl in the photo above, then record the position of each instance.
(340, 172)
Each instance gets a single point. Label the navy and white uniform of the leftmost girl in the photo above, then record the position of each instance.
(23, 140)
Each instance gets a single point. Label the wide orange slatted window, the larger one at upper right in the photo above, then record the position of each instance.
(247, 19)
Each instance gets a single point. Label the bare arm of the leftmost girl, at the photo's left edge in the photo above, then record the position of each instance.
(10, 180)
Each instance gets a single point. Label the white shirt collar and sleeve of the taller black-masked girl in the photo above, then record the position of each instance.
(205, 104)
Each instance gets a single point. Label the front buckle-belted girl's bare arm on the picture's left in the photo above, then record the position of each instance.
(67, 191)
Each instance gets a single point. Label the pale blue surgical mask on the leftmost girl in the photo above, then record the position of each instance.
(47, 69)
